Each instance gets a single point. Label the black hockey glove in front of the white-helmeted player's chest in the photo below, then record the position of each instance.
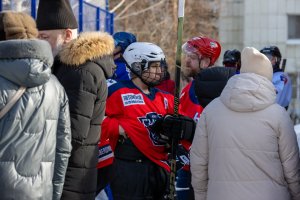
(174, 126)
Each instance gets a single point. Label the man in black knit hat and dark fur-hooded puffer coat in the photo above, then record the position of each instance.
(82, 65)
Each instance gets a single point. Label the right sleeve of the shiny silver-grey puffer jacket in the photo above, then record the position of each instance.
(63, 148)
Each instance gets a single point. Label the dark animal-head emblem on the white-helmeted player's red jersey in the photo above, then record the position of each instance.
(149, 120)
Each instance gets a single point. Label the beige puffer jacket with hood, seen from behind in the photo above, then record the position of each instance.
(245, 145)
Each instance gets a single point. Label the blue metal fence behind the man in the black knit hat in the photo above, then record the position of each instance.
(89, 16)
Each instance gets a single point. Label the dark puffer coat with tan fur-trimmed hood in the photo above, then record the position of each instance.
(82, 67)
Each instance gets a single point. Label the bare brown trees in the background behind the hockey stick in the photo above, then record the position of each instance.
(157, 22)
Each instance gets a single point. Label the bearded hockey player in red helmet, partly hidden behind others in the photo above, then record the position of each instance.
(199, 53)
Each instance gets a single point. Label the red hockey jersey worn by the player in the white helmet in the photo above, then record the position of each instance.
(129, 107)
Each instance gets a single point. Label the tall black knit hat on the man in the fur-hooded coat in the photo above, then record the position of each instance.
(55, 14)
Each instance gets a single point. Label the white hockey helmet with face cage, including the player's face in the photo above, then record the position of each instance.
(139, 56)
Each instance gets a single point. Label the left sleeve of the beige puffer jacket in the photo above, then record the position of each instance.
(199, 159)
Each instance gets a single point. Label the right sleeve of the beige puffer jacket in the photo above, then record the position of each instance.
(289, 155)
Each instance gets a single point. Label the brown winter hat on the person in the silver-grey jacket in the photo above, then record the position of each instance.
(17, 25)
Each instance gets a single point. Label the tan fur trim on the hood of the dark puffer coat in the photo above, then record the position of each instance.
(88, 46)
